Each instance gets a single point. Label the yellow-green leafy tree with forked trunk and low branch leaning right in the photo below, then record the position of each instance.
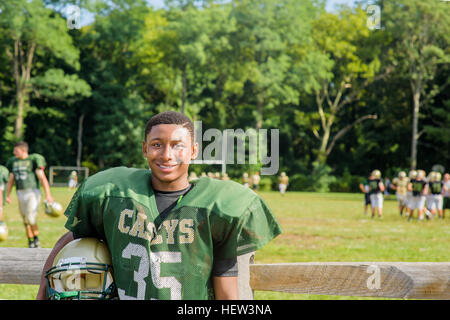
(340, 64)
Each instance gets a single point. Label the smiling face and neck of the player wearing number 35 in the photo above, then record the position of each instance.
(168, 149)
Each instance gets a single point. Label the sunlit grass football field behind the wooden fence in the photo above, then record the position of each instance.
(317, 227)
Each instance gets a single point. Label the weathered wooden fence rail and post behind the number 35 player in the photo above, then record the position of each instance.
(414, 280)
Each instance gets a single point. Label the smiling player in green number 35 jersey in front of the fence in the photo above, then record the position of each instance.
(168, 238)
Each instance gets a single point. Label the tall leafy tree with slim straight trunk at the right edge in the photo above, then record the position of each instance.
(420, 32)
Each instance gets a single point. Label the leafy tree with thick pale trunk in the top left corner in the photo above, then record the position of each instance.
(29, 32)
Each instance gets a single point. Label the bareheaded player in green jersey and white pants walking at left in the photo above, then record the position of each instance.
(27, 172)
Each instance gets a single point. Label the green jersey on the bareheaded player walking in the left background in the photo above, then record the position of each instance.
(24, 170)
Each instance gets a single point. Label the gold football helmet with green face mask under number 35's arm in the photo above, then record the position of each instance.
(82, 269)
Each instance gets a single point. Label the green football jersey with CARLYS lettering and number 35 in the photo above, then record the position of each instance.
(170, 258)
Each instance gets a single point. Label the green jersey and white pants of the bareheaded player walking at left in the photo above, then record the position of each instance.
(27, 184)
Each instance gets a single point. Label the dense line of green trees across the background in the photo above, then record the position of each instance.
(346, 98)
